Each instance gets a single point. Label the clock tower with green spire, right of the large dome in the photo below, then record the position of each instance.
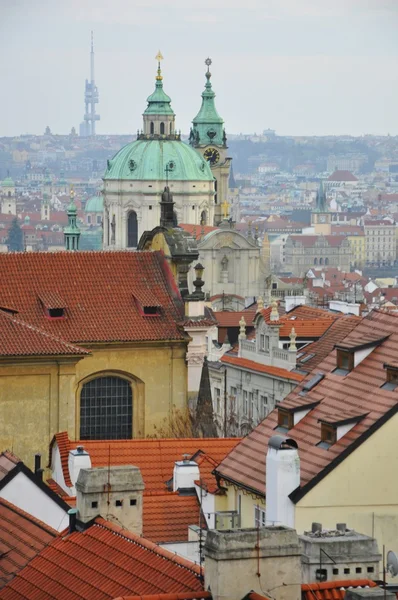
(208, 136)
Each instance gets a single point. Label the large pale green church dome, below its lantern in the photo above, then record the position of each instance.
(147, 160)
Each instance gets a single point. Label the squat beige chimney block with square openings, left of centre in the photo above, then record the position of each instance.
(114, 493)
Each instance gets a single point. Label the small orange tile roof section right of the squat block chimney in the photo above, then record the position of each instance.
(168, 515)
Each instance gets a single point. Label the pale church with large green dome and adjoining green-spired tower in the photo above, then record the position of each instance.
(196, 173)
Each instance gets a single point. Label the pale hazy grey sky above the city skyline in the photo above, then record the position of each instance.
(301, 67)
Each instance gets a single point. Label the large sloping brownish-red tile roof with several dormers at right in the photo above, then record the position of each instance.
(245, 464)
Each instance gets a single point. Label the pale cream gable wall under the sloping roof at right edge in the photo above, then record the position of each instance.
(362, 491)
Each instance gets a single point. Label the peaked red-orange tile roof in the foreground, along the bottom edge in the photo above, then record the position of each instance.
(100, 563)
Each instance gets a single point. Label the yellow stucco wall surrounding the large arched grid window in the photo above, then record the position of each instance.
(39, 398)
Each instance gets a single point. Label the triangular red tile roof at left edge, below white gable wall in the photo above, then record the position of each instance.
(22, 537)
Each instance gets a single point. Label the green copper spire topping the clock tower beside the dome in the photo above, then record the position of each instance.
(208, 126)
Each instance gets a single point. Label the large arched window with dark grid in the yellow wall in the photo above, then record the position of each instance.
(106, 409)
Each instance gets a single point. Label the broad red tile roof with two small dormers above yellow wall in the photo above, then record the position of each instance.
(98, 289)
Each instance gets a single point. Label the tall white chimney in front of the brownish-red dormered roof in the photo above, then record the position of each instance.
(282, 477)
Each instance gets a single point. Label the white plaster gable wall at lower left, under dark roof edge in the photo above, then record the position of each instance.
(27, 496)
